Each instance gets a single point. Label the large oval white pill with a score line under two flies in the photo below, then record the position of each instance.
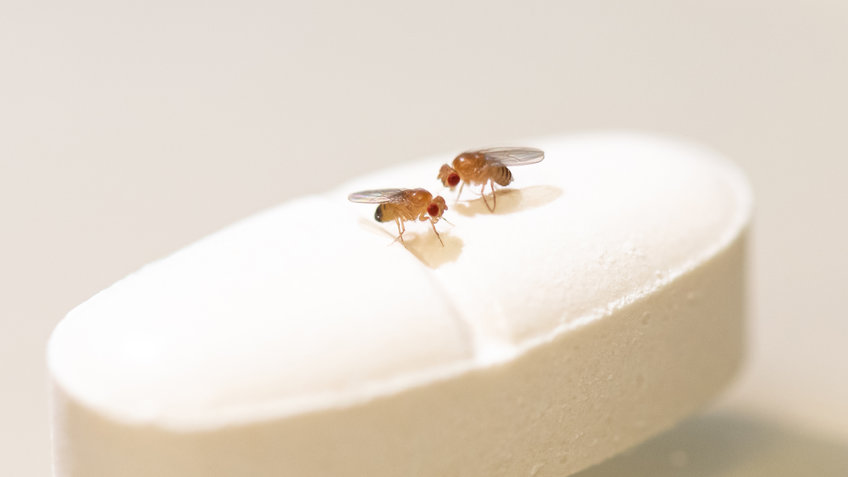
(602, 302)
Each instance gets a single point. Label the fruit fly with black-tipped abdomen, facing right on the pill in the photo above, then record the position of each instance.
(402, 205)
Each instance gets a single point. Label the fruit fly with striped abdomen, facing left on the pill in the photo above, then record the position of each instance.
(487, 166)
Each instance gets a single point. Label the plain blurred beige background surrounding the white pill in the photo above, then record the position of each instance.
(127, 131)
